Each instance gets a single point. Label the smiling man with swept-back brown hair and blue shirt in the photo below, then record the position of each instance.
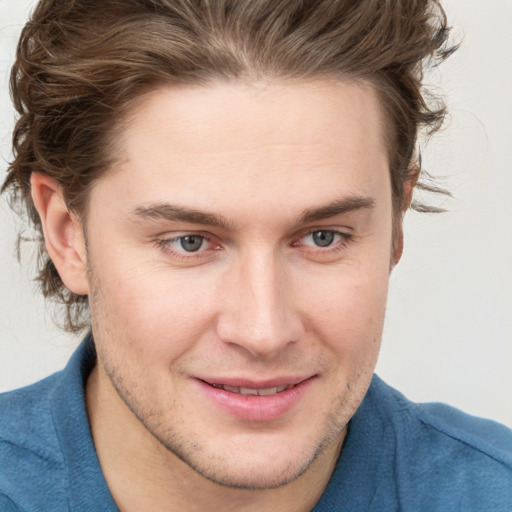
(221, 186)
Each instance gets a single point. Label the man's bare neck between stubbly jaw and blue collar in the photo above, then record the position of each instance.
(143, 475)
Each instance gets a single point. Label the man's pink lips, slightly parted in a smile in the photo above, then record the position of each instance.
(255, 408)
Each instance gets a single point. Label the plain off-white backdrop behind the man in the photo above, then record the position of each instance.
(448, 334)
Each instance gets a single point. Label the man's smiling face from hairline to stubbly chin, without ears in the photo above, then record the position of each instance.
(239, 257)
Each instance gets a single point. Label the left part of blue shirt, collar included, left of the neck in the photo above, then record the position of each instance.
(46, 446)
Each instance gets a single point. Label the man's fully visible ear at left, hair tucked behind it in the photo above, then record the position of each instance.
(63, 233)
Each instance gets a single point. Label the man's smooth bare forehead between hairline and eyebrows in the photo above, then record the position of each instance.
(201, 143)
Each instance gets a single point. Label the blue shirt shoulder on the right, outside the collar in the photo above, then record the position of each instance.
(448, 456)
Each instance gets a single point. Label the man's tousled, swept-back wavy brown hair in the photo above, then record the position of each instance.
(80, 64)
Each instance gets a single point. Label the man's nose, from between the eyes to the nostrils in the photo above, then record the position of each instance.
(257, 311)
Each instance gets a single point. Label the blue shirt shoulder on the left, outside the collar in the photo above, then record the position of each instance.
(30, 456)
